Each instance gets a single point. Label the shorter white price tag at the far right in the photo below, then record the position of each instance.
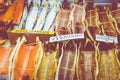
(109, 39)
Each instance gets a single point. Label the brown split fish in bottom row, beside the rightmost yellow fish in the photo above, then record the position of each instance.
(86, 65)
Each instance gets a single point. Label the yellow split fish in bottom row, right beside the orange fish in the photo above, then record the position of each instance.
(47, 67)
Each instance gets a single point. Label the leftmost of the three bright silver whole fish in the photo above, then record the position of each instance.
(31, 18)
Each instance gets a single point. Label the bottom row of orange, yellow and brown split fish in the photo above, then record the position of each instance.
(54, 61)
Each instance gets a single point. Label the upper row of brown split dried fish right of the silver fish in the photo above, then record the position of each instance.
(92, 20)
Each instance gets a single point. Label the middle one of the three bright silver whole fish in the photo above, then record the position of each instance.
(41, 18)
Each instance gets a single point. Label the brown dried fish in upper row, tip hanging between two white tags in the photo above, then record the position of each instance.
(92, 24)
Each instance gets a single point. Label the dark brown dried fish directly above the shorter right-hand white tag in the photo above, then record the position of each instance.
(108, 28)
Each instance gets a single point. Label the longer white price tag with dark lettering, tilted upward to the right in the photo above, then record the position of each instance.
(66, 37)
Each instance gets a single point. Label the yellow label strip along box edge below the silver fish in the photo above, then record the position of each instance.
(33, 31)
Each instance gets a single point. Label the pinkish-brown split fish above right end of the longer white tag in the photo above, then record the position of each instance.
(77, 17)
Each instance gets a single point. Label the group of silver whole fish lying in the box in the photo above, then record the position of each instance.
(40, 16)
